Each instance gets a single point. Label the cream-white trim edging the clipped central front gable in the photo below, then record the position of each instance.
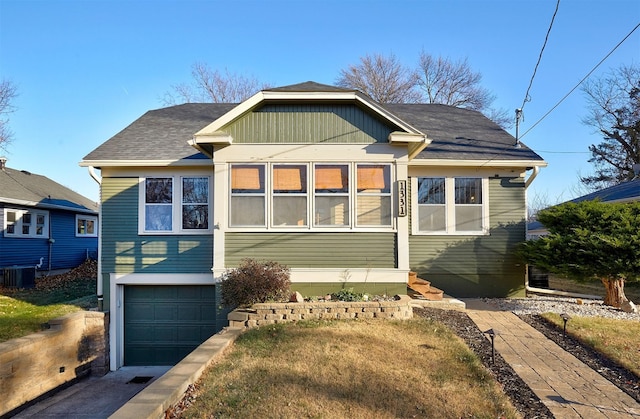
(212, 130)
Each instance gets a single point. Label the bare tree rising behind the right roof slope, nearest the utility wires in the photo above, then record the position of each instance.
(448, 82)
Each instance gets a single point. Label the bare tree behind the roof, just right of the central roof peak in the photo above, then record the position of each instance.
(383, 78)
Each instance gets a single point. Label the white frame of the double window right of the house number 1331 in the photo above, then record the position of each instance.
(450, 207)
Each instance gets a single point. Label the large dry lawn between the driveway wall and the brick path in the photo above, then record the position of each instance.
(354, 369)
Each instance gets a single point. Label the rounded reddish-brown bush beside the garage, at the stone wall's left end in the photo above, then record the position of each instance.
(255, 282)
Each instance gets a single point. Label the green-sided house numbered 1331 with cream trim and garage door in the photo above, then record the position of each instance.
(341, 189)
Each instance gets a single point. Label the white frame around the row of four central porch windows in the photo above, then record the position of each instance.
(310, 223)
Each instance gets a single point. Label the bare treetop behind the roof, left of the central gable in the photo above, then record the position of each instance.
(209, 85)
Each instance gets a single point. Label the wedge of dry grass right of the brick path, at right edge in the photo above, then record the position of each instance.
(619, 340)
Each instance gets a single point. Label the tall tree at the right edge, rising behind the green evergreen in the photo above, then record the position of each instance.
(614, 111)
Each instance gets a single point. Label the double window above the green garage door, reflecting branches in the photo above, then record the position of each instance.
(175, 204)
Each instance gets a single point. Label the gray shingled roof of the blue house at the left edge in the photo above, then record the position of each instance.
(19, 186)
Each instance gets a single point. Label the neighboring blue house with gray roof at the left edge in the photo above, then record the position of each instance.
(44, 223)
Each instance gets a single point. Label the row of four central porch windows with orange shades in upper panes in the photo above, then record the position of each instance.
(310, 195)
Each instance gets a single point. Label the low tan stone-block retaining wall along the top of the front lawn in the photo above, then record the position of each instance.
(271, 313)
